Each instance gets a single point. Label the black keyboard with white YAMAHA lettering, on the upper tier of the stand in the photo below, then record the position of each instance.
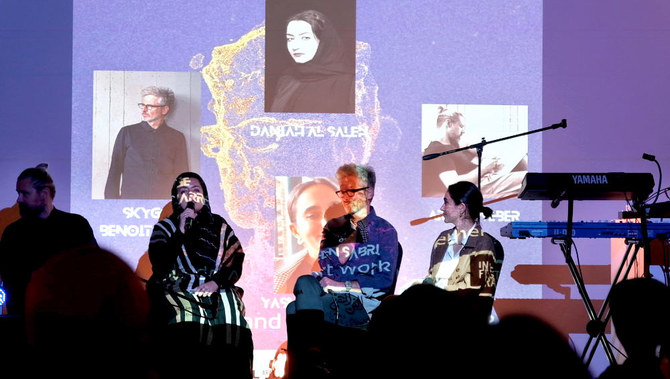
(587, 186)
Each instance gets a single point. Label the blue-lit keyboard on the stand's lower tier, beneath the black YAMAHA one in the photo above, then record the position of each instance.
(584, 229)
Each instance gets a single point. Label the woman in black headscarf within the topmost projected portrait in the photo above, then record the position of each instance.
(320, 77)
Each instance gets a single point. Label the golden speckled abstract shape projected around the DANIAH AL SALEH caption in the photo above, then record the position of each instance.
(251, 147)
